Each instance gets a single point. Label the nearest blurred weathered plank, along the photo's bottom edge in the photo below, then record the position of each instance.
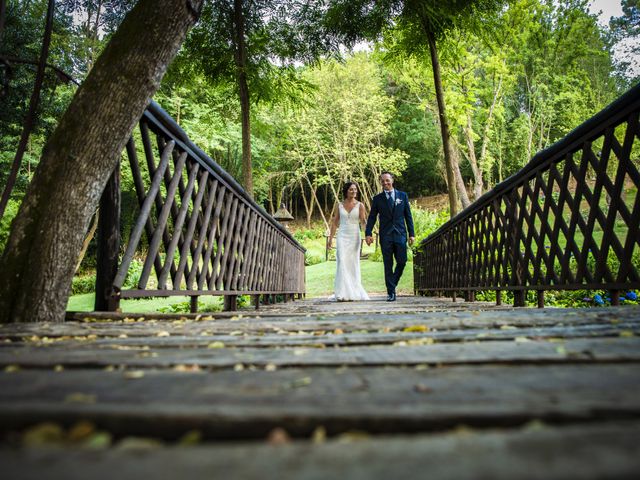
(605, 450)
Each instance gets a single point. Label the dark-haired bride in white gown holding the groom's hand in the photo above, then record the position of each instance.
(349, 216)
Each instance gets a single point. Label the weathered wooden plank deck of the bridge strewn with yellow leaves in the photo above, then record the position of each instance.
(315, 389)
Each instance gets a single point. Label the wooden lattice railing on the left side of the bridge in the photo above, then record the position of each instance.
(205, 235)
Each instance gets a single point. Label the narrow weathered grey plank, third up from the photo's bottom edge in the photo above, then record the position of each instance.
(88, 355)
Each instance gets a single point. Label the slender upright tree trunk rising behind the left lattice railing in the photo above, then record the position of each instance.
(243, 90)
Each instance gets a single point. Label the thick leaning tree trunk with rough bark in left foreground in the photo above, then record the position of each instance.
(46, 236)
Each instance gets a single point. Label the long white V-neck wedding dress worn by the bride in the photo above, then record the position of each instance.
(348, 285)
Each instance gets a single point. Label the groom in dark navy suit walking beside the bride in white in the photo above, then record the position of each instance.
(392, 207)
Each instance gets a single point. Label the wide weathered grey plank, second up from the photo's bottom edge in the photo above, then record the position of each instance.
(248, 404)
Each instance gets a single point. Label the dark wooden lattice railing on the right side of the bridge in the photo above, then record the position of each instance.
(568, 220)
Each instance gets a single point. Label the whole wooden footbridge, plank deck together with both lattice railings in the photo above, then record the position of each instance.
(432, 385)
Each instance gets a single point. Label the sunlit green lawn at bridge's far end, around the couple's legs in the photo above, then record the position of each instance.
(320, 278)
